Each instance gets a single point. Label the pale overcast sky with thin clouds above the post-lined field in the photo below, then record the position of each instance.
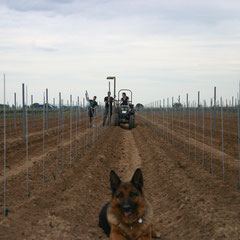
(158, 48)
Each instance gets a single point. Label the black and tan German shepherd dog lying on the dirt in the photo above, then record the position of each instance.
(128, 216)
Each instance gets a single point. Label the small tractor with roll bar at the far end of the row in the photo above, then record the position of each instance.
(125, 114)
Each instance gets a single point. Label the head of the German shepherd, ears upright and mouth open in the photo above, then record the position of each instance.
(128, 202)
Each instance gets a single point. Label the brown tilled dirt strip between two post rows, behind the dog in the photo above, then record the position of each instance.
(188, 202)
